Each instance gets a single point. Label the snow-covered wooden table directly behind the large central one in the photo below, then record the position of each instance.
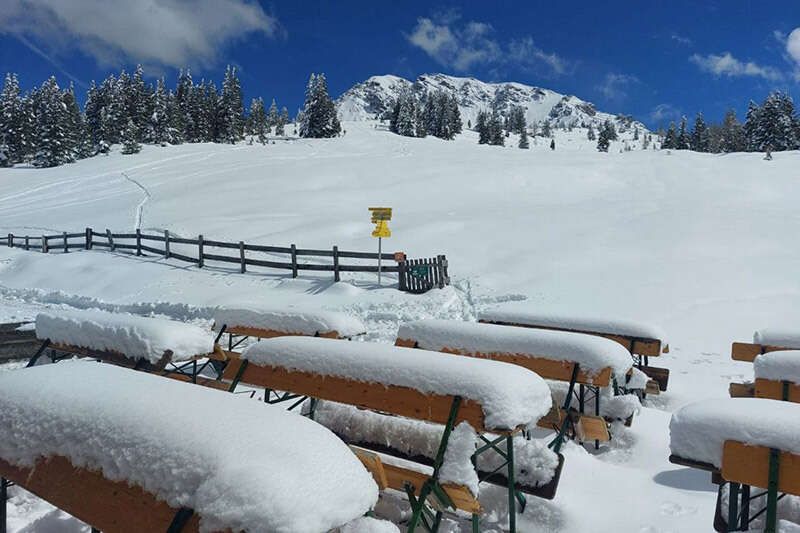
(589, 362)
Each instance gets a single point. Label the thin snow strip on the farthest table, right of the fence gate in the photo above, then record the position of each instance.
(517, 314)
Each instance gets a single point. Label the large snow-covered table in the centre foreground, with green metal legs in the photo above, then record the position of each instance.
(490, 396)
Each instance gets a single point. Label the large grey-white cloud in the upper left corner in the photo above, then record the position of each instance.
(162, 32)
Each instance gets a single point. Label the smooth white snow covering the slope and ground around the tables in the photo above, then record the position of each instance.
(641, 234)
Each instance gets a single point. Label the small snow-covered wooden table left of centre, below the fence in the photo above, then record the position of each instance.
(265, 322)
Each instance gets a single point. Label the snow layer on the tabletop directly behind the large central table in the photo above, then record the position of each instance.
(592, 353)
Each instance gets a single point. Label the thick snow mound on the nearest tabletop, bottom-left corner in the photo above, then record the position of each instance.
(239, 464)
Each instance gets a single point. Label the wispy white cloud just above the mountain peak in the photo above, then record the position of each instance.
(462, 47)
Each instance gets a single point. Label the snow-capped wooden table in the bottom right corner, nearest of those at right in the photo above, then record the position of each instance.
(744, 442)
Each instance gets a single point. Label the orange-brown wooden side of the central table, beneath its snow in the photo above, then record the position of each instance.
(403, 401)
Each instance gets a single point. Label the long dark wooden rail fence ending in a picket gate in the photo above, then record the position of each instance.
(416, 275)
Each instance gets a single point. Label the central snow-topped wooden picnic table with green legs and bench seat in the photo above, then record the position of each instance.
(380, 378)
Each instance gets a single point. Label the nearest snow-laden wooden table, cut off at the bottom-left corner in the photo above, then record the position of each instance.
(117, 488)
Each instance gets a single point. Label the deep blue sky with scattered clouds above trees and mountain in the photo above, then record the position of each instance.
(654, 59)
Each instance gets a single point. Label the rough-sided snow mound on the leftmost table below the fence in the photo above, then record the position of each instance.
(136, 337)
